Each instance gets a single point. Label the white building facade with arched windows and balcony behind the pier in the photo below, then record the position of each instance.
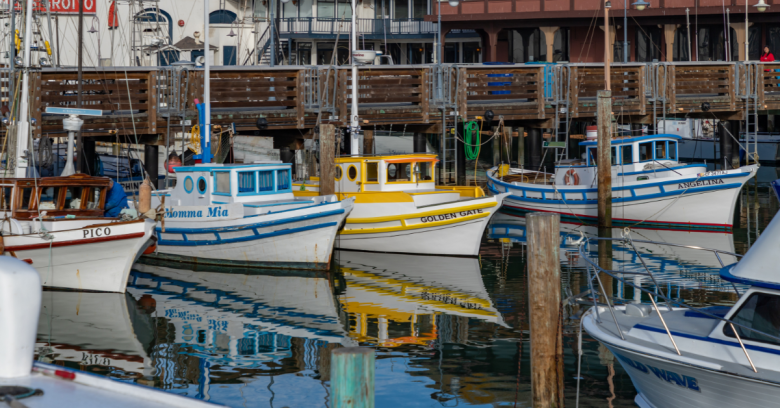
(147, 33)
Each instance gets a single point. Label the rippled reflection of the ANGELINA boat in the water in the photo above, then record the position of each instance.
(684, 267)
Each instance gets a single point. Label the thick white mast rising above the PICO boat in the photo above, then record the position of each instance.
(23, 134)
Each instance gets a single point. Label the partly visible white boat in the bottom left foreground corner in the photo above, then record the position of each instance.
(28, 383)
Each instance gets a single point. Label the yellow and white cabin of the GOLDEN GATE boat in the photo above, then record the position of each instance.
(355, 174)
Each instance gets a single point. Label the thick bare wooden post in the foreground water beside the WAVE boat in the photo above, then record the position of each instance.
(544, 302)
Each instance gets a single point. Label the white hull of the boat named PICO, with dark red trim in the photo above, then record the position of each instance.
(94, 258)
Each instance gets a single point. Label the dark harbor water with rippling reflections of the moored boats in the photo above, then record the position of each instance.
(447, 331)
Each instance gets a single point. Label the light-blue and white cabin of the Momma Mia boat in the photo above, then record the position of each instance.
(210, 183)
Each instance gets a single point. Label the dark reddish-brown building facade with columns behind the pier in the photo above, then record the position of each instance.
(572, 30)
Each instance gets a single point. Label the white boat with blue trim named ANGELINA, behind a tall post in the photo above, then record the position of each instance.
(650, 187)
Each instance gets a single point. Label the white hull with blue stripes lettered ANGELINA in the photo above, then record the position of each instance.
(668, 204)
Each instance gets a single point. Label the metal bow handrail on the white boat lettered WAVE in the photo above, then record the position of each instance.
(671, 301)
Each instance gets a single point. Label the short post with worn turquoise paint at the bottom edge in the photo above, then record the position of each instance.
(352, 377)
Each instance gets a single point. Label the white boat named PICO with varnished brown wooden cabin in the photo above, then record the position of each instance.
(58, 225)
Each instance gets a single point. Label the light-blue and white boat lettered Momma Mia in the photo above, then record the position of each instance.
(246, 215)
